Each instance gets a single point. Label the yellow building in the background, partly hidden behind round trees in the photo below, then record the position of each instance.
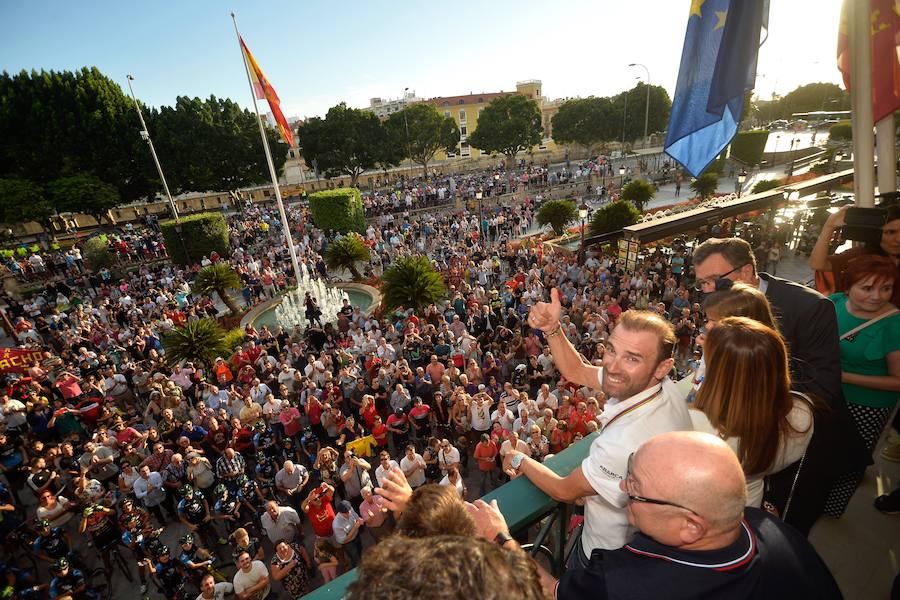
(466, 109)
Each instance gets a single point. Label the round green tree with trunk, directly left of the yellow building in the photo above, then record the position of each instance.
(428, 132)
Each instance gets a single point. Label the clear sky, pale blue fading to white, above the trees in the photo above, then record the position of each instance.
(319, 53)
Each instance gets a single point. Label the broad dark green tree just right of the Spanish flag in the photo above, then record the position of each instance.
(346, 142)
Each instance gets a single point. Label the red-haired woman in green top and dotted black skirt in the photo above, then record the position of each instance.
(869, 326)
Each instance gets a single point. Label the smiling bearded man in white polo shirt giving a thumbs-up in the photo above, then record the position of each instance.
(642, 402)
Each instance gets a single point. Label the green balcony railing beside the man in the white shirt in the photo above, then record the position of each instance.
(522, 505)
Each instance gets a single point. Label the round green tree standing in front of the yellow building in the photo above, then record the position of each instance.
(509, 124)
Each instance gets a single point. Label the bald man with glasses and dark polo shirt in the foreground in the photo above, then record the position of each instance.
(696, 539)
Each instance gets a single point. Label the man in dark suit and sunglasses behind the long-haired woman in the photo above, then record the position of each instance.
(808, 323)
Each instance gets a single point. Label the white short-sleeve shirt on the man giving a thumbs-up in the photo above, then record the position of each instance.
(606, 520)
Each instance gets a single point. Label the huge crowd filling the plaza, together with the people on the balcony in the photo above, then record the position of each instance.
(307, 451)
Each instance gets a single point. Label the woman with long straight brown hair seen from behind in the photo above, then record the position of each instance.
(746, 399)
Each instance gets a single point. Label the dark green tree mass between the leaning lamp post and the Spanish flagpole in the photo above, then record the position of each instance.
(211, 144)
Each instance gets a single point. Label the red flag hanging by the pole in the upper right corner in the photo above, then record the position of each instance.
(885, 32)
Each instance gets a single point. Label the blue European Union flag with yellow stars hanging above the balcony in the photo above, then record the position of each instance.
(718, 65)
